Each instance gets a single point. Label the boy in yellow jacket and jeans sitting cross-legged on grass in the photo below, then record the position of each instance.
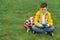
(43, 22)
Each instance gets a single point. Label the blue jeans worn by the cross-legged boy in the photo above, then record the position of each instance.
(43, 30)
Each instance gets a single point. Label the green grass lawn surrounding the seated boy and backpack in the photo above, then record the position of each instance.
(13, 13)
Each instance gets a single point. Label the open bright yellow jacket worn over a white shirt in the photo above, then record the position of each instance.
(38, 17)
